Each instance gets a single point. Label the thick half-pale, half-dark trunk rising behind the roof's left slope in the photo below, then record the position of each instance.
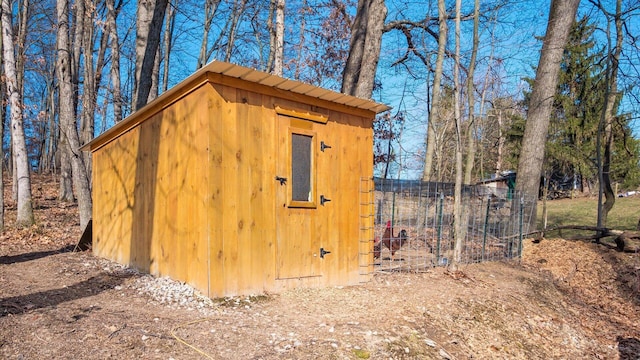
(148, 29)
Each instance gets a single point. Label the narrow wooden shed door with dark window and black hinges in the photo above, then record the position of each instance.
(297, 200)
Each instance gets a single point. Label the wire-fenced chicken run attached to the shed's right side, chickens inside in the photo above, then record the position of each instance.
(413, 224)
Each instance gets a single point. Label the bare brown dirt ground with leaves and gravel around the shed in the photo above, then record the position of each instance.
(564, 300)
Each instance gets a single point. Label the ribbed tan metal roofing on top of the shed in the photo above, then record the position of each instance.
(278, 82)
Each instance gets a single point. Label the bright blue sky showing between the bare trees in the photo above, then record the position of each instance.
(508, 35)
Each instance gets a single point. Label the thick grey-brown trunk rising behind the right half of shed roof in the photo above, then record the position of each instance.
(364, 48)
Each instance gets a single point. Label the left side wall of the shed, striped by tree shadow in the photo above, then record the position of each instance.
(150, 193)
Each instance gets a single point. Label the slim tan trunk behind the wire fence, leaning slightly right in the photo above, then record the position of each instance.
(434, 114)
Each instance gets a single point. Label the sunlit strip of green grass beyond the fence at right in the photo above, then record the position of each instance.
(583, 211)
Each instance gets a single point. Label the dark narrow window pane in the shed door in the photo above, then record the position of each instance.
(301, 167)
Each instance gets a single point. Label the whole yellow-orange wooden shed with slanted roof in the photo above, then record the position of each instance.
(239, 182)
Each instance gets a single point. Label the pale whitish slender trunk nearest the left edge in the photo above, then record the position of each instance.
(25, 208)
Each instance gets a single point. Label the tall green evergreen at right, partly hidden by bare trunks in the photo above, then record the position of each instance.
(580, 96)
